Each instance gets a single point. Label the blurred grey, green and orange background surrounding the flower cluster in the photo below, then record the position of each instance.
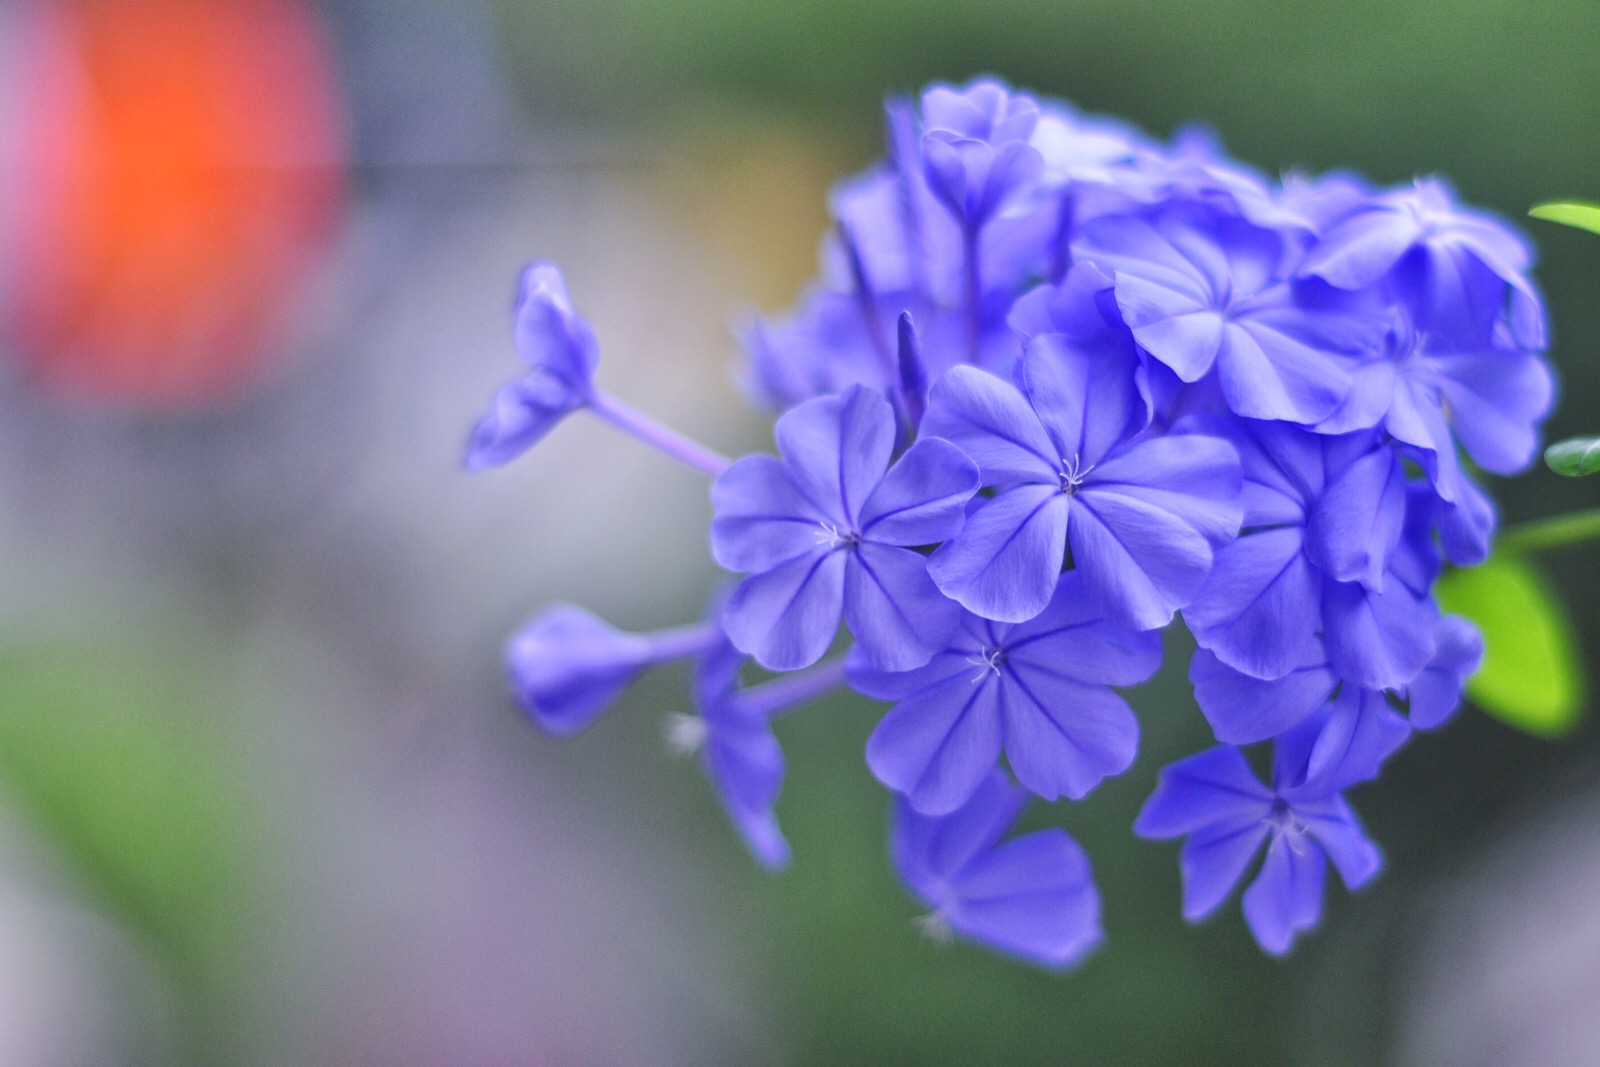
(263, 797)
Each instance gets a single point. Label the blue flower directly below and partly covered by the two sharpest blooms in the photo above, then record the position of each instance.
(1036, 690)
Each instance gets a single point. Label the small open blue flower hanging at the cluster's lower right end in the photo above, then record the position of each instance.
(1228, 815)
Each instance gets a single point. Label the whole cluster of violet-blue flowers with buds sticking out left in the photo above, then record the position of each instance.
(1055, 386)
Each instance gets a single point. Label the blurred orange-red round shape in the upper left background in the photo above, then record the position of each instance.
(180, 167)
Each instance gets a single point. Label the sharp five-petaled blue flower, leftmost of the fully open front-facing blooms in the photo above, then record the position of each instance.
(826, 532)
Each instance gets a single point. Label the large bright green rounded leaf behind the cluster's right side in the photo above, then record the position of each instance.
(1532, 674)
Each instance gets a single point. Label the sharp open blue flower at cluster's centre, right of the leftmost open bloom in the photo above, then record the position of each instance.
(1073, 465)
